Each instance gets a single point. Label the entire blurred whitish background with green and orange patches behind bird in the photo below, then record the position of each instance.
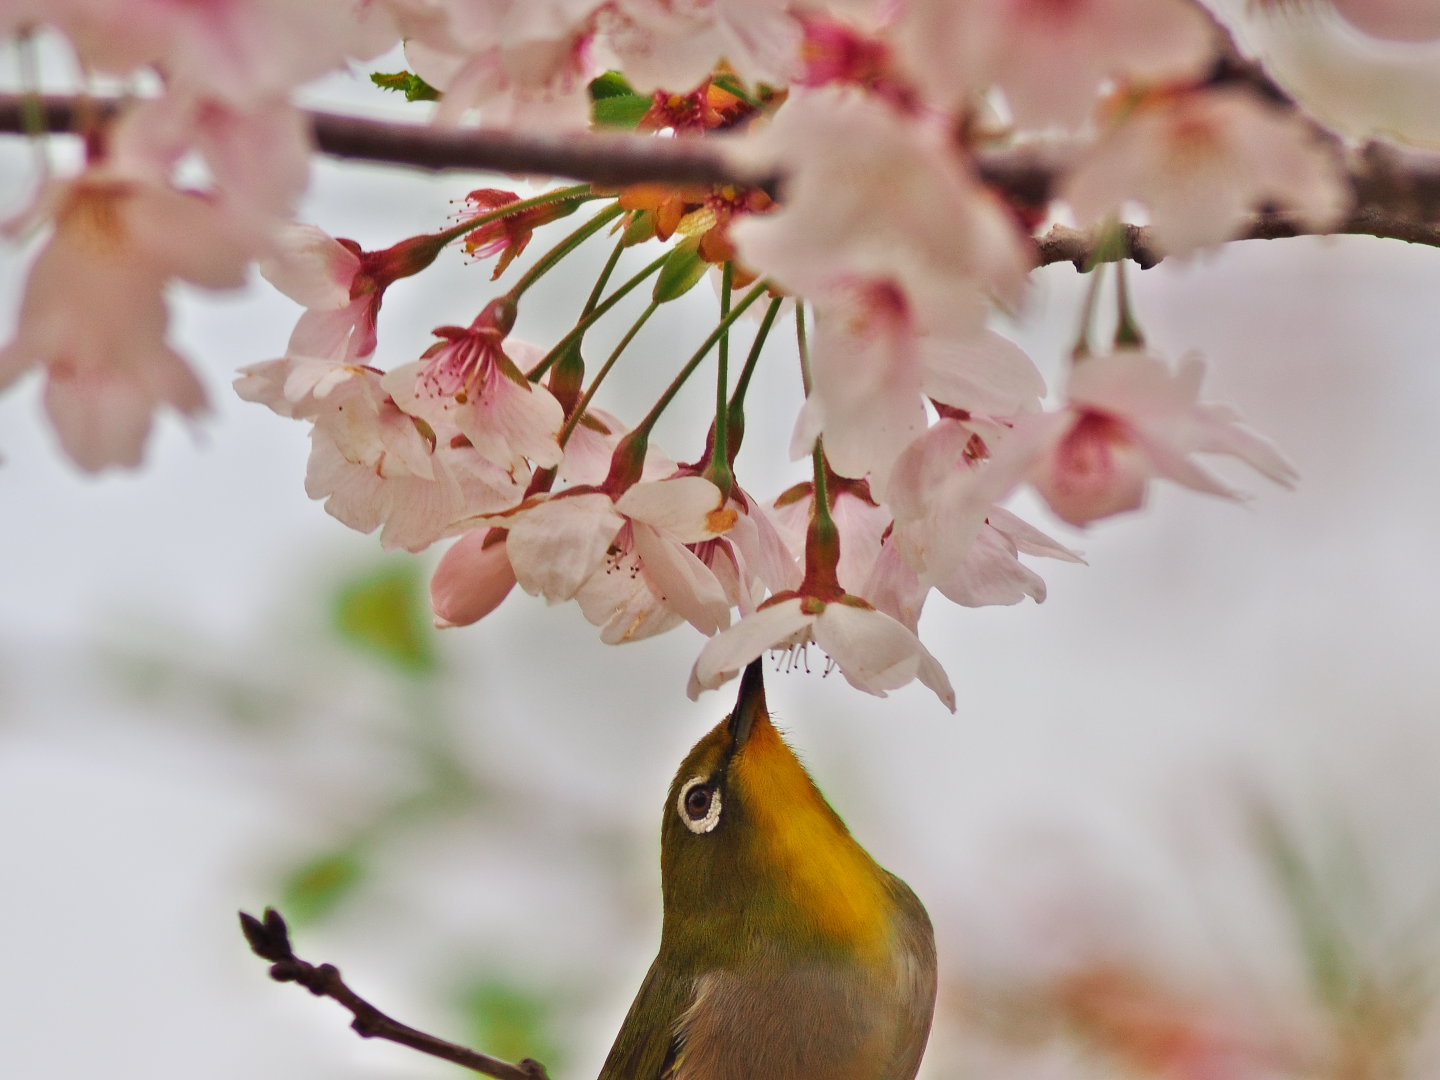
(1184, 823)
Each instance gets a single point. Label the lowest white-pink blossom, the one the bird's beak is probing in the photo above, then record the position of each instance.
(873, 652)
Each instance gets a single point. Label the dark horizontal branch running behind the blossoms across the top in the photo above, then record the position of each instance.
(1396, 192)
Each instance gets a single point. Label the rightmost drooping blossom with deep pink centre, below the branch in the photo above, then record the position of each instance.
(1131, 420)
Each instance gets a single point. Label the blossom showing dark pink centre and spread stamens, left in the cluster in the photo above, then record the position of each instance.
(469, 381)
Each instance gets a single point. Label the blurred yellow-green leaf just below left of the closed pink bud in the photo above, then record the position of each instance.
(387, 613)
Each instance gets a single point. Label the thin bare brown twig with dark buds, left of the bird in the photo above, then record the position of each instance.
(270, 941)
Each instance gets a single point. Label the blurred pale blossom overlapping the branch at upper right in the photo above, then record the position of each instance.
(1203, 163)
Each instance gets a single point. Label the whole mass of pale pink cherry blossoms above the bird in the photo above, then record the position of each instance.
(885, 240)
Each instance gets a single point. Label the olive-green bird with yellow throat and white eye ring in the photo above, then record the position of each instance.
(787, 953)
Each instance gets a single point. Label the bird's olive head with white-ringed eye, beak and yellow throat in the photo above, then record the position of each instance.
(752, 855)
